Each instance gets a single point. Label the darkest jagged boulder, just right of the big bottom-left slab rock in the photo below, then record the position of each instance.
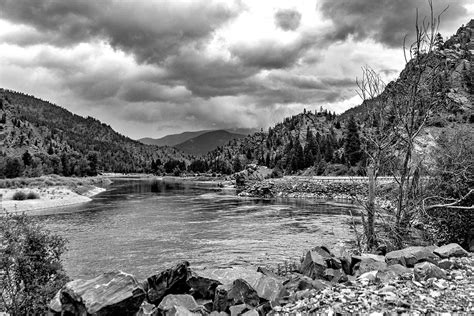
(170, 281)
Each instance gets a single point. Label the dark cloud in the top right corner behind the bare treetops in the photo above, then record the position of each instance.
(385, 21)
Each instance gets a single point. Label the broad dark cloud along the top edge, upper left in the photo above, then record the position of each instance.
(149, 30)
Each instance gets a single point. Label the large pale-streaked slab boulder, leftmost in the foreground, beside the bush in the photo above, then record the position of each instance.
(112, 293)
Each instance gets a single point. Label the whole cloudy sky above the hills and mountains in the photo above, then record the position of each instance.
(150, 68)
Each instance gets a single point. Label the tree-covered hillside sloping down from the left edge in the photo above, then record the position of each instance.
(37, 137)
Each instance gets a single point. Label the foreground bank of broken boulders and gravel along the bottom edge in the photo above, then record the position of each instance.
(415, 279)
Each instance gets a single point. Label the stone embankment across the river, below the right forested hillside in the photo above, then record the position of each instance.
(301, 187)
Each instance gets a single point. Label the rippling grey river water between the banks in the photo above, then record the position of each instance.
(144, 226)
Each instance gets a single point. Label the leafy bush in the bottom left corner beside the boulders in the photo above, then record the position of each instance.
(31, 266)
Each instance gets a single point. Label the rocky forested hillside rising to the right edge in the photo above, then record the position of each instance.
(336, 144)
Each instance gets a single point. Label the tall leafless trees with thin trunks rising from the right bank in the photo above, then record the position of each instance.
(396, 116)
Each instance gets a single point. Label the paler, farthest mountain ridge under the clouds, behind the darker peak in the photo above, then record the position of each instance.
(176, 139)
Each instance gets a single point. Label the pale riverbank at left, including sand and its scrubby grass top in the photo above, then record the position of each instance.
(48, 192)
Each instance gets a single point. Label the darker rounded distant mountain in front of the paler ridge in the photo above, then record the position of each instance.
(207, 142)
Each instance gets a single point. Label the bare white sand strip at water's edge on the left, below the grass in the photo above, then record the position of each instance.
(49, 197)
